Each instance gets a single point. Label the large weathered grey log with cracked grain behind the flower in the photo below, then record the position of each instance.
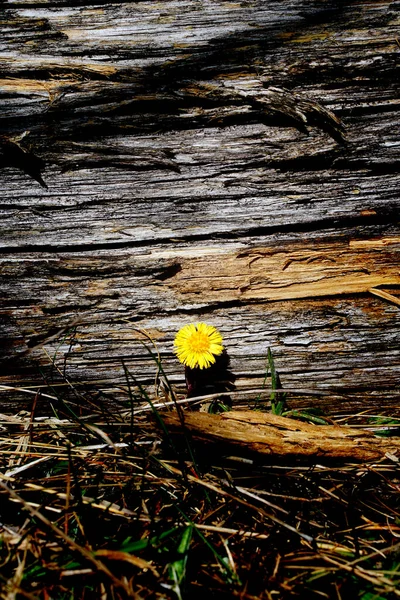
(236, 163)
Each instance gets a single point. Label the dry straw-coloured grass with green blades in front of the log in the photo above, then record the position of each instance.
(99, 502)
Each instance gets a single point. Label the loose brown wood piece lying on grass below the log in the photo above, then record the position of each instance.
(263, 433)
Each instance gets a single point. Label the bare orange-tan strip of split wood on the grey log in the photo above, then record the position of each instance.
(282, 273)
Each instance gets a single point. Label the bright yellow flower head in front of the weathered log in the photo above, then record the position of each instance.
(197, 345)
